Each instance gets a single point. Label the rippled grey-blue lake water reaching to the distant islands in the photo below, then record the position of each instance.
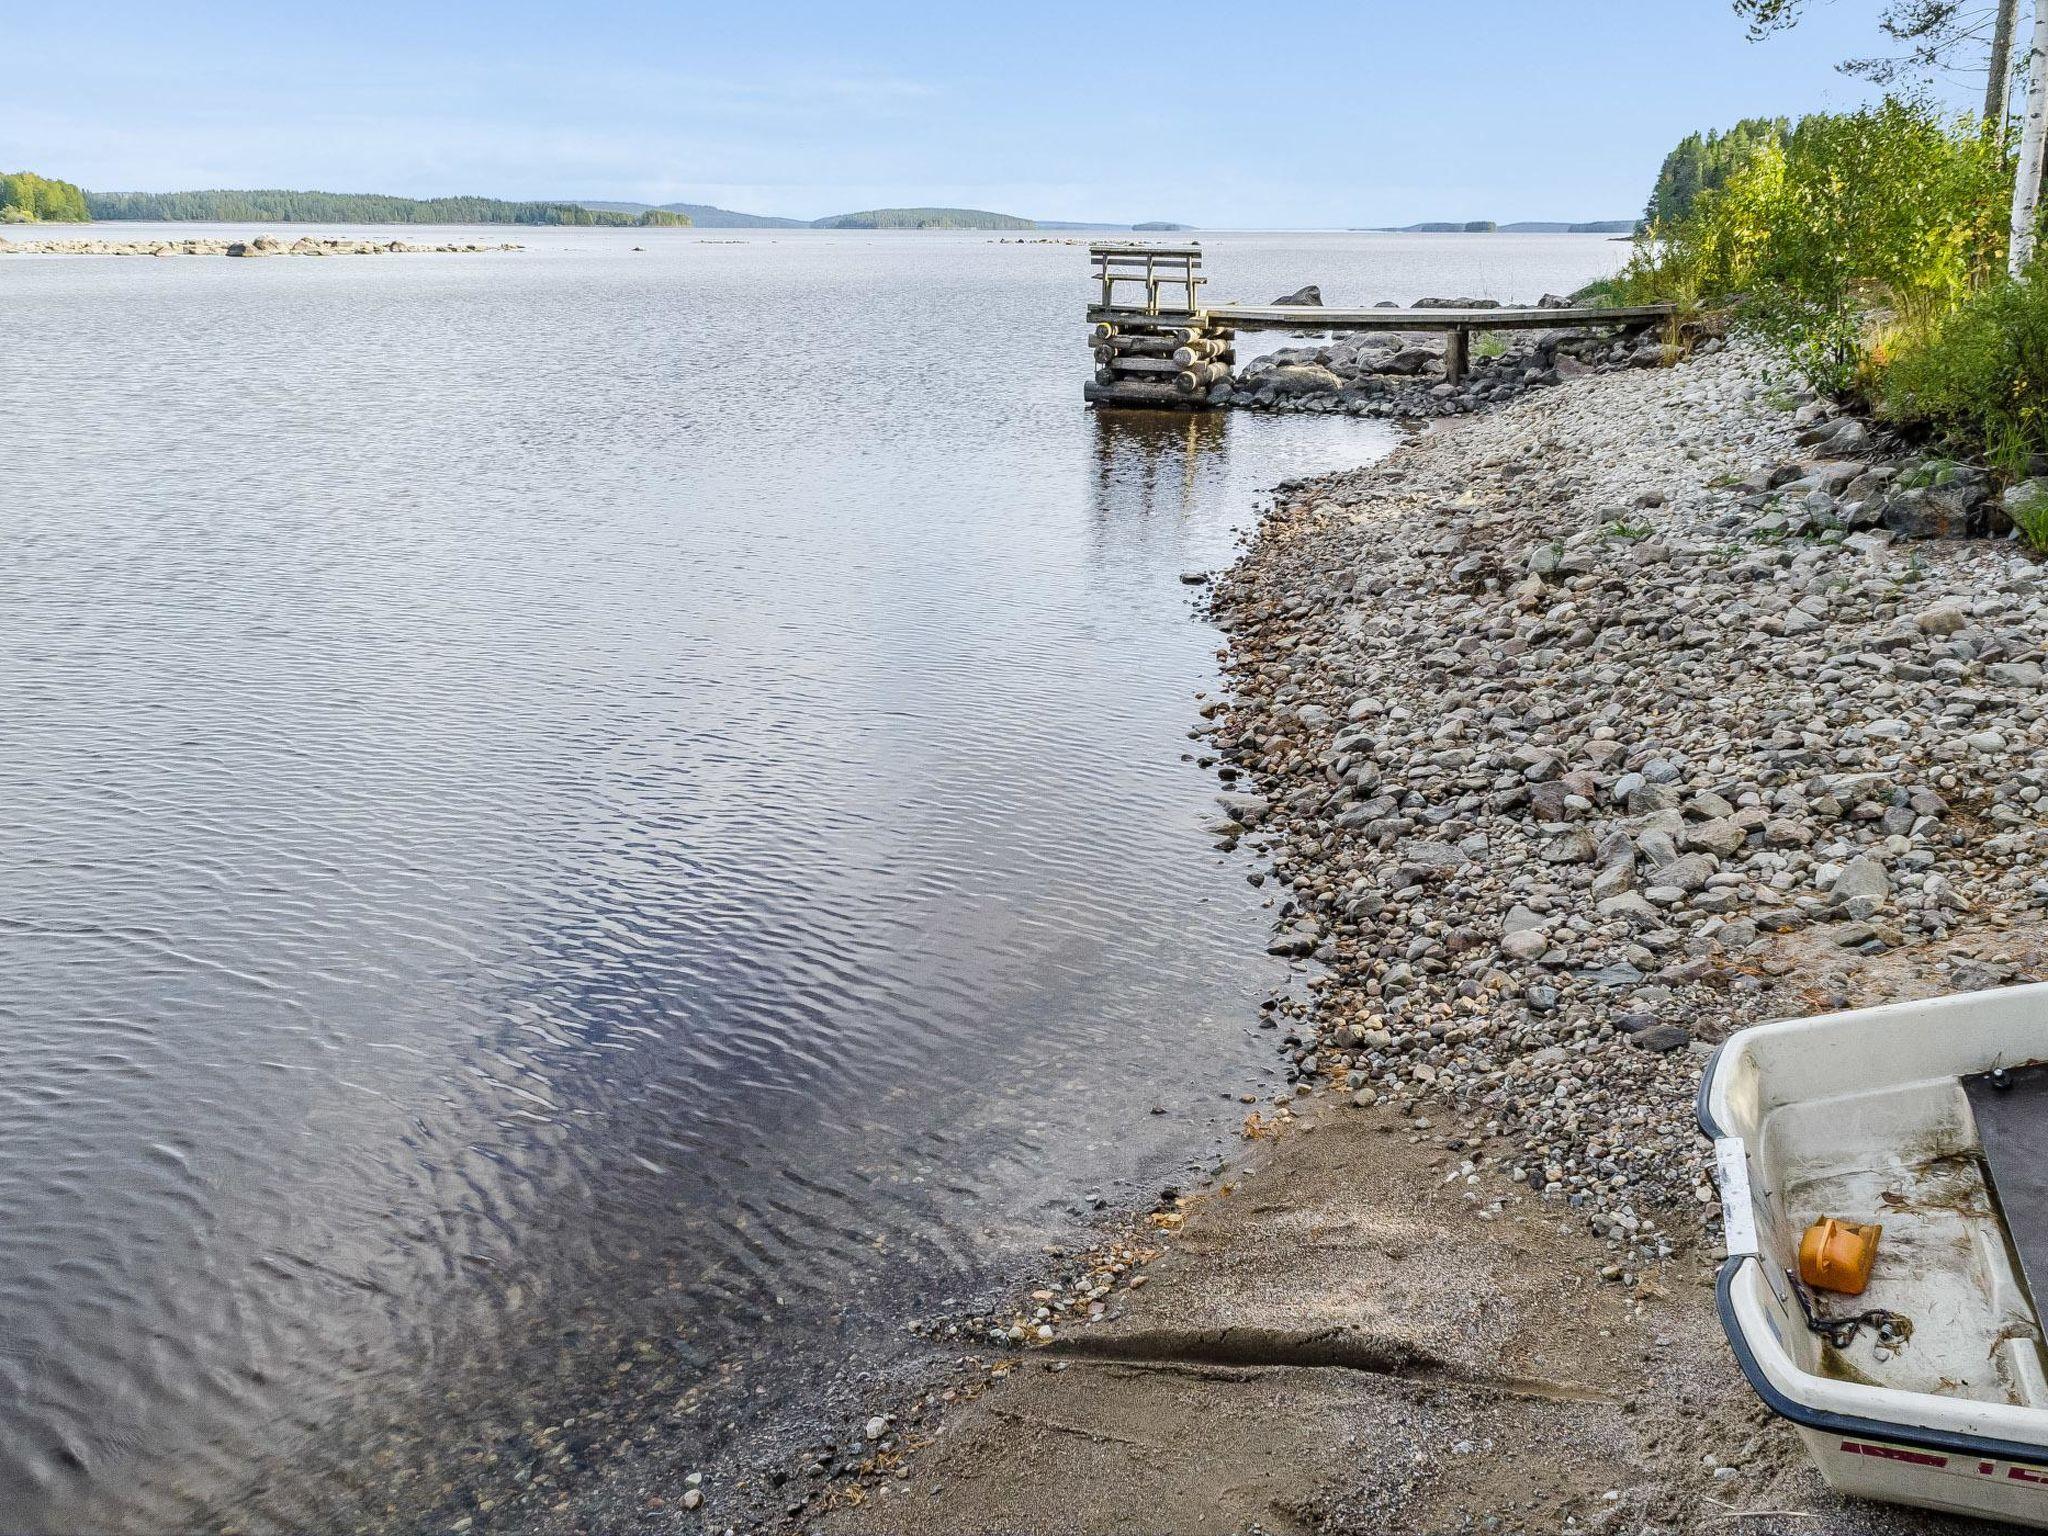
(591, 826)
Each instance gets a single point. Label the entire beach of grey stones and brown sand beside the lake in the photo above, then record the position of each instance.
(1576, 736)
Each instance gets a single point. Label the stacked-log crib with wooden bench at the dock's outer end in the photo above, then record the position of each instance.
(1148, 351)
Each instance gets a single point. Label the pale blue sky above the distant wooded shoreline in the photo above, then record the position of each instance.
(1228, 116)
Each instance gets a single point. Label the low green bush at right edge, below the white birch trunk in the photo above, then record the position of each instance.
(1979, 376)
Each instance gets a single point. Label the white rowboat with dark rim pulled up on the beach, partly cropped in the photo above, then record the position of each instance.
(1932, 1121)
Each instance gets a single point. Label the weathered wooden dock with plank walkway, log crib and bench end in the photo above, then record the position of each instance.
(1179, 355)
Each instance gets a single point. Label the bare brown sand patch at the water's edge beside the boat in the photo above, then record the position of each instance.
(1338, 1347)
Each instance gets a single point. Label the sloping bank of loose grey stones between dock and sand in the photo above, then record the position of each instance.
(1564, 724)
